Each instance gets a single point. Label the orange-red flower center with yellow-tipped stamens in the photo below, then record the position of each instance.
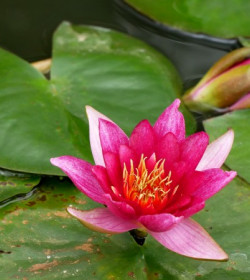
(149, 189)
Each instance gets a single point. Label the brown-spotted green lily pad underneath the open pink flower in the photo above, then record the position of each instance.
(39, 240)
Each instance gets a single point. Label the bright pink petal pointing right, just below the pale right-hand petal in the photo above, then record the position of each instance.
(209, 182)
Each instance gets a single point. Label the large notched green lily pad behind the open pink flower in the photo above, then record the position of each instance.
(118, 75)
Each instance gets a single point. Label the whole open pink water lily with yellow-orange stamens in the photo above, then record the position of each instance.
(153, 181)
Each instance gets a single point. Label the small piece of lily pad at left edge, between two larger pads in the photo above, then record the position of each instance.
(14, 184)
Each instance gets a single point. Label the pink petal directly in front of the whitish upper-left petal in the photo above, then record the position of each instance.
(111, 136)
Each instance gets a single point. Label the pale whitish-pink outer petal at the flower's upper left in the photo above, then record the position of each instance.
(93, 117)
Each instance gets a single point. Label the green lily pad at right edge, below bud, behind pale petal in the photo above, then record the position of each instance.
(239, 157)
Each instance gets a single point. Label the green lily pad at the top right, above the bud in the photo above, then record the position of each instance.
(207, 16)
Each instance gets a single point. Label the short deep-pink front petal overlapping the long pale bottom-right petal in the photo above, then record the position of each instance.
(159, 222)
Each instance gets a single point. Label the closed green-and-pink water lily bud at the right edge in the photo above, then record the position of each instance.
(225, 87)
